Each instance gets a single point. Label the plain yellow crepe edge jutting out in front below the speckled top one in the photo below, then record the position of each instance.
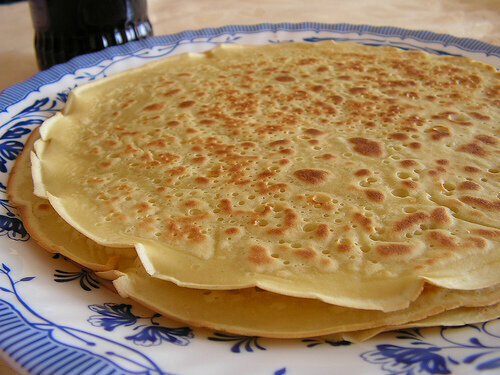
(256, 312)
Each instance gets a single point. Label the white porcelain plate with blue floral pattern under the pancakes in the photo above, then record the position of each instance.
(56, 318)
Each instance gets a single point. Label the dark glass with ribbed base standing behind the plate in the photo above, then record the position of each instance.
(68, 28)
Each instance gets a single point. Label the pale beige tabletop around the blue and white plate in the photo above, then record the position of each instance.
(478, 19)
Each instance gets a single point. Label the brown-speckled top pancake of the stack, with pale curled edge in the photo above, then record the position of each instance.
(334, 171)
